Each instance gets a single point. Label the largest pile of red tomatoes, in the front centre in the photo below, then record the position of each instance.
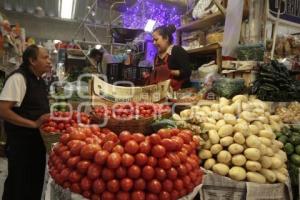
(99, 164)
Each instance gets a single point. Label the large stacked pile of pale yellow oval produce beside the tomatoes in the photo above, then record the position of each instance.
(239, 139)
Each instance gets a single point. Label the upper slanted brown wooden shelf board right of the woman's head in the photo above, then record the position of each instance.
(203, 23)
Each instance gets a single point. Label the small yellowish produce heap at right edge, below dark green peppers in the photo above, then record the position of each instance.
(289, 114)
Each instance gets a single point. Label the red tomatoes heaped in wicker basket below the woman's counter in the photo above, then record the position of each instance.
(131, 110)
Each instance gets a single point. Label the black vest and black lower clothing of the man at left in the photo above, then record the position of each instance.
(25, 149)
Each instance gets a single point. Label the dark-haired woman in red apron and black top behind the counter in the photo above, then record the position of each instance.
(171, 61)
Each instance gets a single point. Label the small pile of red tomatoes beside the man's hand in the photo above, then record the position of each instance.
(59, 122)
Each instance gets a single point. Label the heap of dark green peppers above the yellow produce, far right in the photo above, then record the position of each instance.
(274, 83)
